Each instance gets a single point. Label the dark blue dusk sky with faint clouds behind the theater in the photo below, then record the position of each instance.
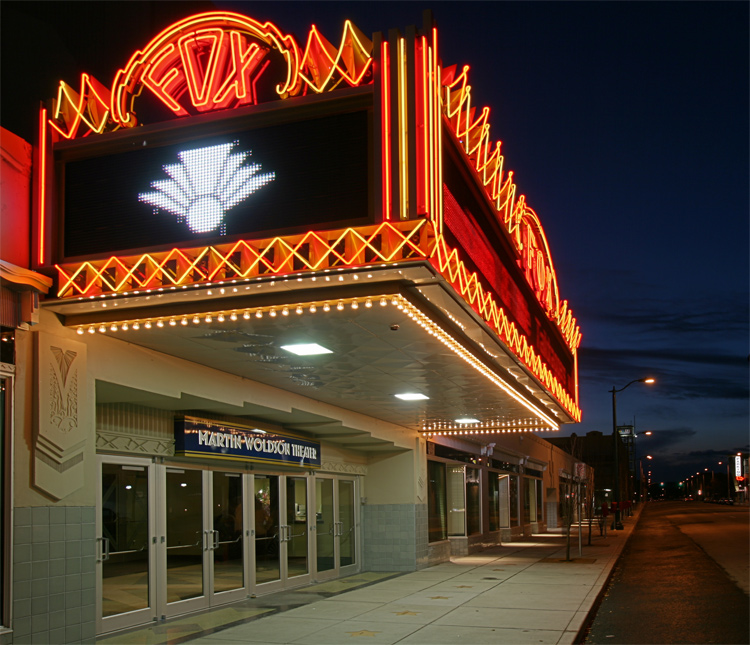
(626, 124)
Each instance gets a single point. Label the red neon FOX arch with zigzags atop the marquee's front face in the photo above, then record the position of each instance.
(228, 79)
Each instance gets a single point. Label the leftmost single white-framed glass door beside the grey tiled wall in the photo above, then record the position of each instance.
(126, 572)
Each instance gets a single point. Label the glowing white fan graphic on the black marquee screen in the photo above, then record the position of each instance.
(205, 185)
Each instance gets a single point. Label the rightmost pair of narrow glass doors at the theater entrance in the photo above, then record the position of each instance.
(336, 527)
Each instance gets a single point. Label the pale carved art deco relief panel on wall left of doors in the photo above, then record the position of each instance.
(62, 420)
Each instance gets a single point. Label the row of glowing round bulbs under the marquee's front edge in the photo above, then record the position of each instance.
(222, 316)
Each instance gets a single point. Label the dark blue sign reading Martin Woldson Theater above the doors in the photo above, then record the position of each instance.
(200, 438)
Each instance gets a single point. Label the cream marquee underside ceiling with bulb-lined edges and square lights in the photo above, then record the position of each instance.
(376, 351)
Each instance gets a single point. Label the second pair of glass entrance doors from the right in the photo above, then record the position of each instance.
(282, 530)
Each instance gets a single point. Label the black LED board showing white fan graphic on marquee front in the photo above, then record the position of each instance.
(253, 182)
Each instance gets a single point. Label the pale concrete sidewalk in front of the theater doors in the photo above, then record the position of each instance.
(521, 592)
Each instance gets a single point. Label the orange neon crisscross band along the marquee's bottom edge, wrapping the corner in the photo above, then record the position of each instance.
(313, 251)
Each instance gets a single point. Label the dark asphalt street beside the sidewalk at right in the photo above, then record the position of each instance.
(666, 588)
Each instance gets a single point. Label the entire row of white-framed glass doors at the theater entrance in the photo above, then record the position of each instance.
(176, 538)
